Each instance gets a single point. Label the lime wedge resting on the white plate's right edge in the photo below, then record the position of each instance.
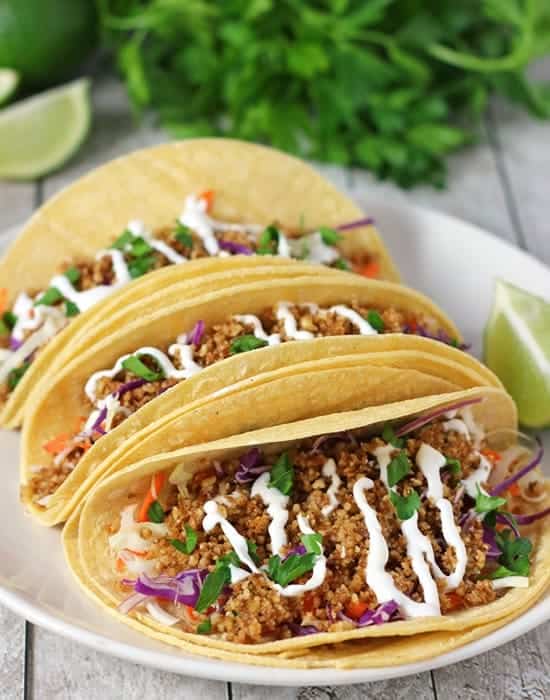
(517, 349)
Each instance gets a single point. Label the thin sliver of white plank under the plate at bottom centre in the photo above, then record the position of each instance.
(418, 687)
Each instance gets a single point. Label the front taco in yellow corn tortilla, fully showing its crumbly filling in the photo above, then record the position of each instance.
(326, 541)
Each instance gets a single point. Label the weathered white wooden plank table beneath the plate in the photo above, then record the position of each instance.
(502, 185)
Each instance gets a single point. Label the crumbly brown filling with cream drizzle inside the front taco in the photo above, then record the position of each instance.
(334, 533)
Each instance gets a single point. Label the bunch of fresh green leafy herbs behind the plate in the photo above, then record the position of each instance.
(391, 85)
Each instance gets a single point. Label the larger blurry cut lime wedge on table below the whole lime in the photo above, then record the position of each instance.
(39, 134)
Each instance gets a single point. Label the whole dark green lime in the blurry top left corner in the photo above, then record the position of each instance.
(46, 40)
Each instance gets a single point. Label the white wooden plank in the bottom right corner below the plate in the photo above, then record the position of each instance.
(516, 671)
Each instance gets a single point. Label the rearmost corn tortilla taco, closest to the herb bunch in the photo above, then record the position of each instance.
(83, 245)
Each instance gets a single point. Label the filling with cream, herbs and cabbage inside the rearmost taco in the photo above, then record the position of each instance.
(37, 317)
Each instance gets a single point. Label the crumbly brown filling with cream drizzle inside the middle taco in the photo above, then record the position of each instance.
(112, 395)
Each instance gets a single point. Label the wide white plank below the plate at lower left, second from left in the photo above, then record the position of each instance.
(63, 670)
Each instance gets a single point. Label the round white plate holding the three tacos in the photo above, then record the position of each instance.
(453, 262)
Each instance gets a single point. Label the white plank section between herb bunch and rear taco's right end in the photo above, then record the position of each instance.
(473, 192)
